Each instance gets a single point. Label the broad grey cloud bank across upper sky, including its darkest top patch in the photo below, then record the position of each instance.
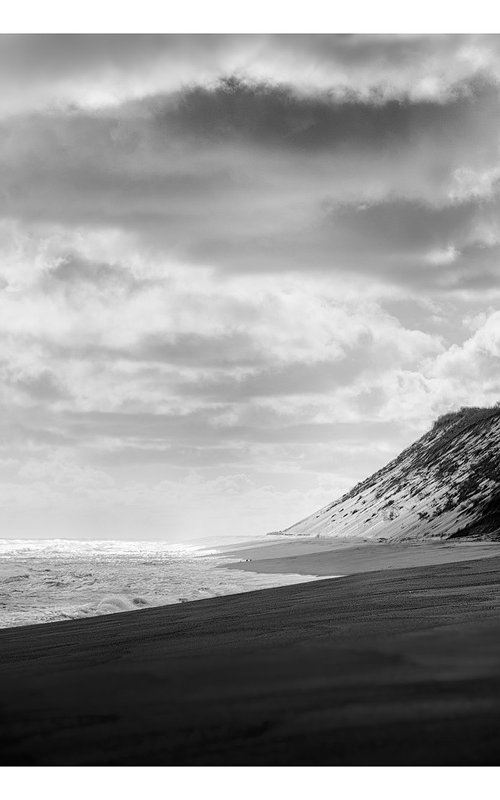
(185, 172)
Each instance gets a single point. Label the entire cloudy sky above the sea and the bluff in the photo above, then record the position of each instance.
(238, 273)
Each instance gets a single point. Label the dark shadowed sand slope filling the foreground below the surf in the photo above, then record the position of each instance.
(395, 667)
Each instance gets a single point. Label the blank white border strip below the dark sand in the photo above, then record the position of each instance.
(247, 783)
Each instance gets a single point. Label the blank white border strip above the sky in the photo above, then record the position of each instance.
(258, 16)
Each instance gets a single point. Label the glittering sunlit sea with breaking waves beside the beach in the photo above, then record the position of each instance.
(46, 581)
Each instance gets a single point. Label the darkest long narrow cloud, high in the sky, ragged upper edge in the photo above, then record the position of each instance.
(270, 115)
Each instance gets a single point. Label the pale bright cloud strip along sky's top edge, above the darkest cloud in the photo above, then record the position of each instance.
(99, 70)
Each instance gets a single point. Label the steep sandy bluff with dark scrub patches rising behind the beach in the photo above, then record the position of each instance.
(446, 485)
